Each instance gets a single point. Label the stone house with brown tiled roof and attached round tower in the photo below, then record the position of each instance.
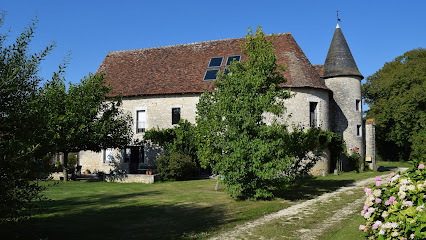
(162, 85)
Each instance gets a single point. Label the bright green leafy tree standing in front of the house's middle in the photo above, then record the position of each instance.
(234, 139)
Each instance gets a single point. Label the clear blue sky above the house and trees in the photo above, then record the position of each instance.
(377, 31)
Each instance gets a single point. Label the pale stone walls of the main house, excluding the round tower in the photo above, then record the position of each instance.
(159, 115)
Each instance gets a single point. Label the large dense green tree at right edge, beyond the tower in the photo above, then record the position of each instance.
(396, 95)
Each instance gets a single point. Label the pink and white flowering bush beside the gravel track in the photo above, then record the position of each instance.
(395, 207)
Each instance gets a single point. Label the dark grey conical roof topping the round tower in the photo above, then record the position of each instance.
(339, 61)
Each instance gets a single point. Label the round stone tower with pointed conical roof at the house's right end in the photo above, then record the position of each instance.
(343, 78)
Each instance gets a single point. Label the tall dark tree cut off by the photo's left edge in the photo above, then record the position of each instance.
(21, 162)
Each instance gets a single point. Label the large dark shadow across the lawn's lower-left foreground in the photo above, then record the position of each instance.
(131, 221)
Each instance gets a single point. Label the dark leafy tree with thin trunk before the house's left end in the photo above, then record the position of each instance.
(82, 117)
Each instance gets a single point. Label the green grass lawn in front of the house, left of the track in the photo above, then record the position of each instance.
(166, 210)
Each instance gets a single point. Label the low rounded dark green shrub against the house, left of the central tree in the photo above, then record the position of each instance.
(176, 167)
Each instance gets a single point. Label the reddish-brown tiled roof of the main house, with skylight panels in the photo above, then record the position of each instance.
(180, 69)
